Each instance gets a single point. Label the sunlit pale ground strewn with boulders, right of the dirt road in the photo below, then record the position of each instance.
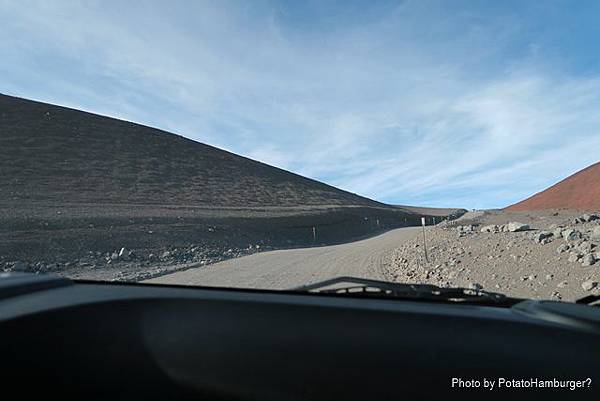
(542, 255)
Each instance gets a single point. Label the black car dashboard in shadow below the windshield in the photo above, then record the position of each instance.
(86, 340)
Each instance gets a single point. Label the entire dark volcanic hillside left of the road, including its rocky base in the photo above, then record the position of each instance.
(75, 184)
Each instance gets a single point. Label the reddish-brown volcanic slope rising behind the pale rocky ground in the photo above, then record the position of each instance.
(580, 191)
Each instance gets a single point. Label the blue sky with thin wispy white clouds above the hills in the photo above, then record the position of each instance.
(475, 104)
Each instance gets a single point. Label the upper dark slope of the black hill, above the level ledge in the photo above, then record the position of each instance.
(52, 153)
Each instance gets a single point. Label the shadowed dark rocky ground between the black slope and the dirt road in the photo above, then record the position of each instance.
(138, 242)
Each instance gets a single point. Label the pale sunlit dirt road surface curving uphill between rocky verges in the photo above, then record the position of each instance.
(284, 269)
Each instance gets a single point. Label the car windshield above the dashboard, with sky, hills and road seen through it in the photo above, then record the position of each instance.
(275, 145)
